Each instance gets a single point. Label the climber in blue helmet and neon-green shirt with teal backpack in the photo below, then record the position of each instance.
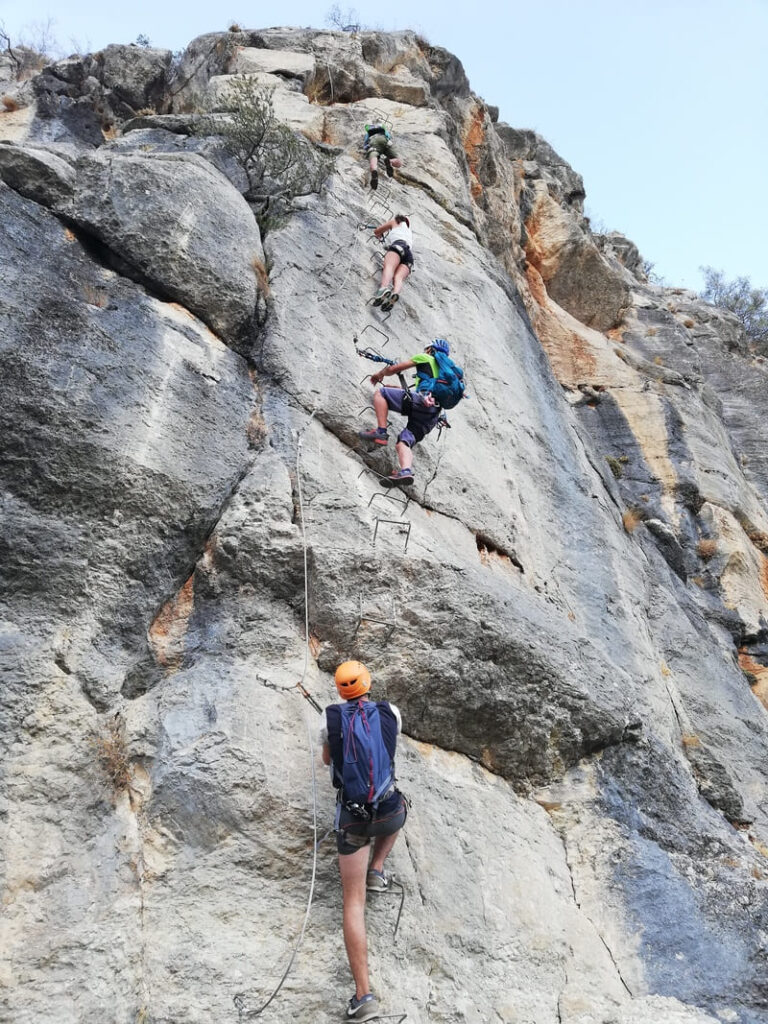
(440, 387)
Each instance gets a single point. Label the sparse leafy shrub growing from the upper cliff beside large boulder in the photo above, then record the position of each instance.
(280, 164)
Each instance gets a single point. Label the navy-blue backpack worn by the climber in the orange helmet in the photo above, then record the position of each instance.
(367, 772)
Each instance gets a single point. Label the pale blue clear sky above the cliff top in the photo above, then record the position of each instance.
(660, 105)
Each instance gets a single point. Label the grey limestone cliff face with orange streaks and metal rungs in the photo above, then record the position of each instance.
(572, 611)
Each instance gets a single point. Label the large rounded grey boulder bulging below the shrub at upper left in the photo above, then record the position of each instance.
(182, 226)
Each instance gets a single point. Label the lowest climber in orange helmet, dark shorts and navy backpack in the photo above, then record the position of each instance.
(359, 741)
